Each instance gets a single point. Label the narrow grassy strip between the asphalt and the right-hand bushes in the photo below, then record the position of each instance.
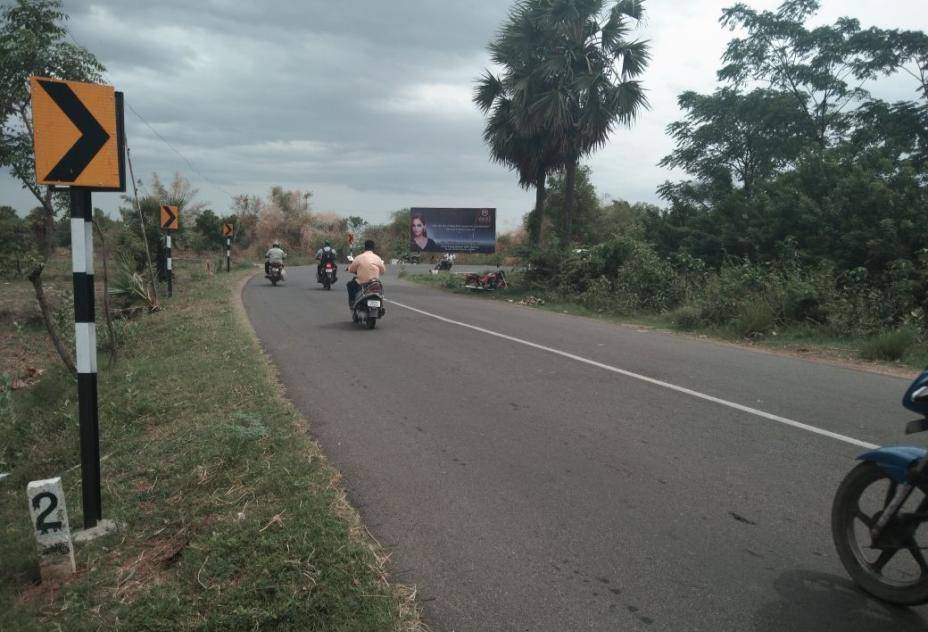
(892, 351)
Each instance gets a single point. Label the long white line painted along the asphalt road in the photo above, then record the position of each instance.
(651, 380)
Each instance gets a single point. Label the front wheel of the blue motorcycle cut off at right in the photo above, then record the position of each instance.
(894, 568)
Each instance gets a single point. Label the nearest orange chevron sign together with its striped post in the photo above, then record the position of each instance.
(79, 136)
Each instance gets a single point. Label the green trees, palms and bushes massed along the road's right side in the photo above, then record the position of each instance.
(799, 216)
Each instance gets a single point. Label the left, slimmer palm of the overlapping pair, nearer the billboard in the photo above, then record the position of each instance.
(513, 139)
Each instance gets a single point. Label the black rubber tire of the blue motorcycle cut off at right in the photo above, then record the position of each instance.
(845, 515)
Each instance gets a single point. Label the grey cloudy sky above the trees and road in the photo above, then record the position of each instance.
(368, 103)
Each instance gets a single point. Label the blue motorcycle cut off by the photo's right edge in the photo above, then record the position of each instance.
(877, 512)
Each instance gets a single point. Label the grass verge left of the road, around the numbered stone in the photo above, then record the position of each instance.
(233, 520)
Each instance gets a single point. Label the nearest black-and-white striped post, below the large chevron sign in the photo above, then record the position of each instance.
(85, 336)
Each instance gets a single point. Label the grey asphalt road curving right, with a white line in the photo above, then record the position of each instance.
(552, 487)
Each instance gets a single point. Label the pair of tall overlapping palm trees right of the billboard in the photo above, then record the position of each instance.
(570, 74)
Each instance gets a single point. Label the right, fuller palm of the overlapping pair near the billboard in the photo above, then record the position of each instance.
(582, 78)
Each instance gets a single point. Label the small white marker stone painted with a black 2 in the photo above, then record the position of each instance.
(52, 529)
